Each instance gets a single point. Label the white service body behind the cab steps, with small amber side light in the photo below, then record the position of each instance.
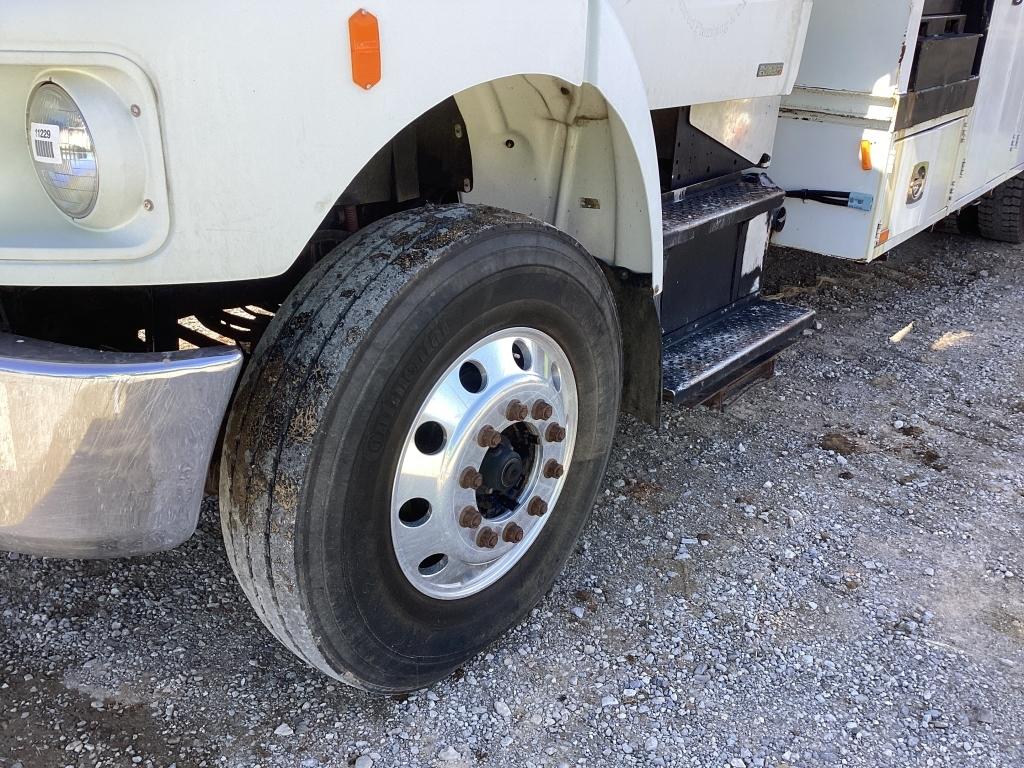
(854, 82)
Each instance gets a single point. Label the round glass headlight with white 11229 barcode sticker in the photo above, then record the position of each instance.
(63, 151)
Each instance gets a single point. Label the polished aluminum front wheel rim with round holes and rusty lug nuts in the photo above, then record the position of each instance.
(440, 552)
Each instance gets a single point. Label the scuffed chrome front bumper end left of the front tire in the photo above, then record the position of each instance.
(106, 454)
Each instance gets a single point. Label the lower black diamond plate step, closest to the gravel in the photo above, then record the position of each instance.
(699, 365)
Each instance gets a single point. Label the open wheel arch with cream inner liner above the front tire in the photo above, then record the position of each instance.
(531, 144)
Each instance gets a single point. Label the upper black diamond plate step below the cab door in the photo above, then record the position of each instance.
(689, 215)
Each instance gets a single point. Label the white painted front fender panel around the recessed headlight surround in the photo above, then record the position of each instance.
(262, 124)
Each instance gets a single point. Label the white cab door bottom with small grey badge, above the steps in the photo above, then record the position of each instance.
(696, 52)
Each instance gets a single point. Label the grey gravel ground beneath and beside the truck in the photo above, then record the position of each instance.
(827, 574)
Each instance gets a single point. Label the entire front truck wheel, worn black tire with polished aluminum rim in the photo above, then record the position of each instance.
(381, 532)
